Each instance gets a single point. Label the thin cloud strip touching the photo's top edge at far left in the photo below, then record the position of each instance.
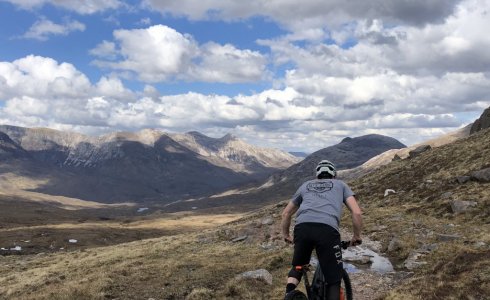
(81, 7)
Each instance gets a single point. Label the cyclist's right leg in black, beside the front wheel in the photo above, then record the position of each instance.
(330, 257)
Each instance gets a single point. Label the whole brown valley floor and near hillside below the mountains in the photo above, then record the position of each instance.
(433, 227)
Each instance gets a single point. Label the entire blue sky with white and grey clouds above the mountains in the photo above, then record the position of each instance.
(298, 76)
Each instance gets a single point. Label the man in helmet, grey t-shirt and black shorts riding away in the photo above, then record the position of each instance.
(318, 204)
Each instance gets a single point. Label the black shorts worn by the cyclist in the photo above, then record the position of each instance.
(326, 241)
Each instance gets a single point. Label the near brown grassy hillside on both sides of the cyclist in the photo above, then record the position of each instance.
(449, 252)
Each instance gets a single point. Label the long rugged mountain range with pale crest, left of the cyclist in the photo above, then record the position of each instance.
(145, 165)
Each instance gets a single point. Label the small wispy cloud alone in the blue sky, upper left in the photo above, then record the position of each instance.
(44, 28)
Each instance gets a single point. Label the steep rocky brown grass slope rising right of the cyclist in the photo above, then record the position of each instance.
(456, 260)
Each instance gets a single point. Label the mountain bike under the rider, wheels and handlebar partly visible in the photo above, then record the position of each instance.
(317, 290)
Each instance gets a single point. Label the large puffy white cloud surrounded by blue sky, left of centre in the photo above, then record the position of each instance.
(159, 53)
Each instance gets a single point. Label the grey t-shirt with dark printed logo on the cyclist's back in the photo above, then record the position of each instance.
(320, 201)
